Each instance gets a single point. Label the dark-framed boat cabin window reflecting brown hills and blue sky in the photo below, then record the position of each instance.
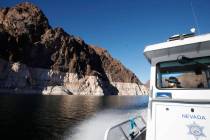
(186, 73)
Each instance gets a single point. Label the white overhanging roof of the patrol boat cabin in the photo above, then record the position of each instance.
(183, 45)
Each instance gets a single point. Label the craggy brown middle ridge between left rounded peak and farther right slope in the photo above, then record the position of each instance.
(71, 54)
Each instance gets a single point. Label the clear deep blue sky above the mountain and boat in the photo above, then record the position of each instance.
(125, 27)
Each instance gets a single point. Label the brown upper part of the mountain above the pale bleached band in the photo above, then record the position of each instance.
(26, 37)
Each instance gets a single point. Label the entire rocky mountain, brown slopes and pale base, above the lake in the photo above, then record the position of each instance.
(36, 57)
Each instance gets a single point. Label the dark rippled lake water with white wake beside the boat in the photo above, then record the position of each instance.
(65, 117)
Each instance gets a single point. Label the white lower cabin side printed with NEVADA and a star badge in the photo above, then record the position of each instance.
(181, 121)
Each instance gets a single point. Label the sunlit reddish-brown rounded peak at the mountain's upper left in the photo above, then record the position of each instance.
(24, 20)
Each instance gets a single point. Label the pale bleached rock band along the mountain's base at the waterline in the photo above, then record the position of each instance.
(19, 79)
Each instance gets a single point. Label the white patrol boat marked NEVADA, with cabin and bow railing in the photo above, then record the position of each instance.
(179, 98)
